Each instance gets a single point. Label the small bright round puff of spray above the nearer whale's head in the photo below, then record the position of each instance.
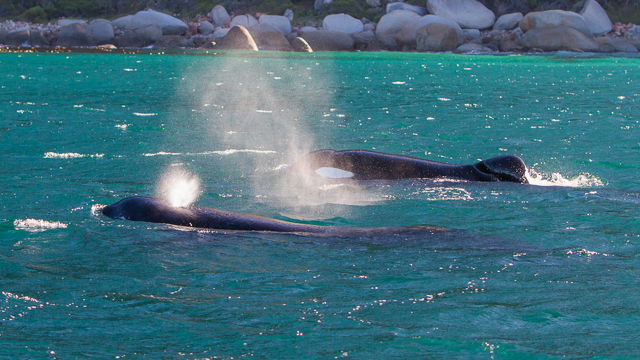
(179, 187)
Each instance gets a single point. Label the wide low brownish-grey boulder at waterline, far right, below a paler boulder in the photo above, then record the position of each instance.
(555, 38)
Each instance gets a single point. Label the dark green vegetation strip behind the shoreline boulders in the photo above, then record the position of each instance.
(41, 11)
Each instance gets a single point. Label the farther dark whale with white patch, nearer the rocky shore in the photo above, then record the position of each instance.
(370, 165)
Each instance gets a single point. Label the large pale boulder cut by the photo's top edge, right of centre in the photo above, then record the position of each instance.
(469, 14)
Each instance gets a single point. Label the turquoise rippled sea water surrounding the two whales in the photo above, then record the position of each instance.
(546, 270)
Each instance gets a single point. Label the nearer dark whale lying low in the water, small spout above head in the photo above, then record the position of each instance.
(154, 210)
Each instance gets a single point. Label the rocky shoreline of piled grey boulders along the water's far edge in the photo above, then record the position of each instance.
(460, 26)
